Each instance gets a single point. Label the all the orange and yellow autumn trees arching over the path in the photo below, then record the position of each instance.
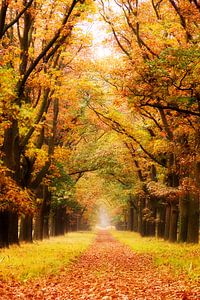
(100, 107)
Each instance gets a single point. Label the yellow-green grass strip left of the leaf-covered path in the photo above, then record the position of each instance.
(29, 261)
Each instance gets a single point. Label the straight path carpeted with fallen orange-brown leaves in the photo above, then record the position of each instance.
(108, 270)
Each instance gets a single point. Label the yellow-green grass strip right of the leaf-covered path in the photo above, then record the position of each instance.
(177, 258)
